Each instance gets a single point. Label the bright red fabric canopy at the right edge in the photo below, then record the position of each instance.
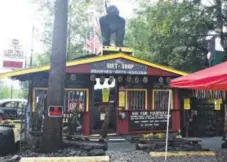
(213, 78)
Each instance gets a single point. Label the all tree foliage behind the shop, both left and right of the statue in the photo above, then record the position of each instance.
(167, 33)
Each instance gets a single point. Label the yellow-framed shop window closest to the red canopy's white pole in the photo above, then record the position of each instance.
(161, 99)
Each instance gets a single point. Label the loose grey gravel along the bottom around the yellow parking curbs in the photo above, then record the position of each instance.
(131, 156)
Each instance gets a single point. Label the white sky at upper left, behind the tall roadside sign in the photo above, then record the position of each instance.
(17, 18)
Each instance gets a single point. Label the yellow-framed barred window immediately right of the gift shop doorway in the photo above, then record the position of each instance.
(136, 99)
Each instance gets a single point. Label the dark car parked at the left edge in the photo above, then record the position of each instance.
(12, 108)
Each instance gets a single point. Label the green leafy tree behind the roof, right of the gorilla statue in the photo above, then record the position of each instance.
(170, 34)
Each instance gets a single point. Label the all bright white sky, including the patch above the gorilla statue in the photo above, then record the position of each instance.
(18, 17)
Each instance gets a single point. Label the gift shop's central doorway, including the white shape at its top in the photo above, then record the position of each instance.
(97, 113)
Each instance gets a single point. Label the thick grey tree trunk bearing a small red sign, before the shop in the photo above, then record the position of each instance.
(52, 127)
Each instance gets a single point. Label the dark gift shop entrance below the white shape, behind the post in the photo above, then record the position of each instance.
(98, 114)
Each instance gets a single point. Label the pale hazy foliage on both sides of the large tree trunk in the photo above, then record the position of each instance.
(79, 22)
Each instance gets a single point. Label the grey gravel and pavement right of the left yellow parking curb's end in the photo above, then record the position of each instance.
(125, 152)
